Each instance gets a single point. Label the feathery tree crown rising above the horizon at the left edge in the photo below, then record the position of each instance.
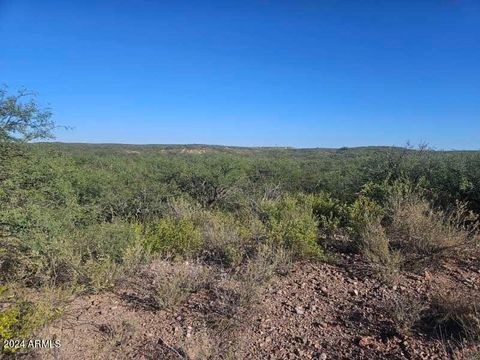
(21, 118)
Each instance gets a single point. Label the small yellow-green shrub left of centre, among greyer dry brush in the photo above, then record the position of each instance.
(172, 236)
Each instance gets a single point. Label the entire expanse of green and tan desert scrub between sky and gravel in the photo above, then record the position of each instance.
(79, 218)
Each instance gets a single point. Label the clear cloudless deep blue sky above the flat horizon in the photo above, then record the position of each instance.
(288, 73)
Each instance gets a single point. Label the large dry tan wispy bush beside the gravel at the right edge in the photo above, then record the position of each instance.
(412, 233)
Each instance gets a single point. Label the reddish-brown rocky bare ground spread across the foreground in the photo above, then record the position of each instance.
(315, 311)
